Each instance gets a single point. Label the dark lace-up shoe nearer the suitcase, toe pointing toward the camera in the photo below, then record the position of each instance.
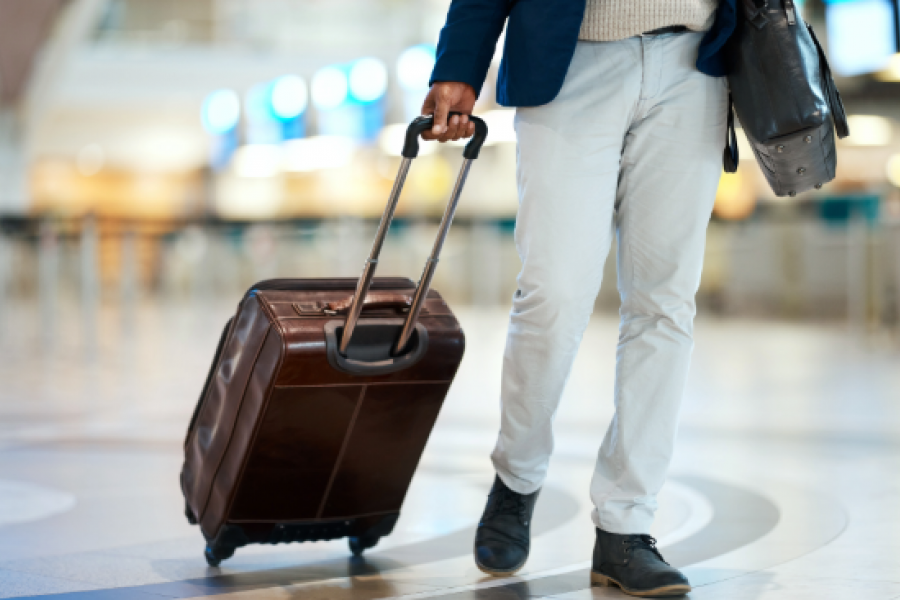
(504, 533)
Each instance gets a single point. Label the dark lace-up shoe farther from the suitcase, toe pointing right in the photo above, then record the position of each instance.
(633, 563)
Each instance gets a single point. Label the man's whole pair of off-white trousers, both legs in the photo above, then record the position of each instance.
(632, 146)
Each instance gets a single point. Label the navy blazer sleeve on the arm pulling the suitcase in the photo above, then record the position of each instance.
(468, 40)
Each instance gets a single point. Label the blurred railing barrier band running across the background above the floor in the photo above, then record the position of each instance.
(794, 267)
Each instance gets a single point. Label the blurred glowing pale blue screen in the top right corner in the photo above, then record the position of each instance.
(861, 35)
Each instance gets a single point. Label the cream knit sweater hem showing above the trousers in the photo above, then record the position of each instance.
(611, 20)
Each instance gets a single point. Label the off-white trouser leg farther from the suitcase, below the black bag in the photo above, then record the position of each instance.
(670, 170)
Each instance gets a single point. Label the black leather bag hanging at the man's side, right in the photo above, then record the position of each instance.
(784, 96)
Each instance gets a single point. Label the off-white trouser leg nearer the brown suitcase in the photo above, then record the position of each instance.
(568, 165)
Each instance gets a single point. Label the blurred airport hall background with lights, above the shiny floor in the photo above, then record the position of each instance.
(158, 151)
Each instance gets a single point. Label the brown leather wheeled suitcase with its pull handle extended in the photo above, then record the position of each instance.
(317, 407)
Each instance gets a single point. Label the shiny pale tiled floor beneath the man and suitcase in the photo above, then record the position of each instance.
(786, 483)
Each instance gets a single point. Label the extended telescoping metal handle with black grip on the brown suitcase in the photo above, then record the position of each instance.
(410, 151)
